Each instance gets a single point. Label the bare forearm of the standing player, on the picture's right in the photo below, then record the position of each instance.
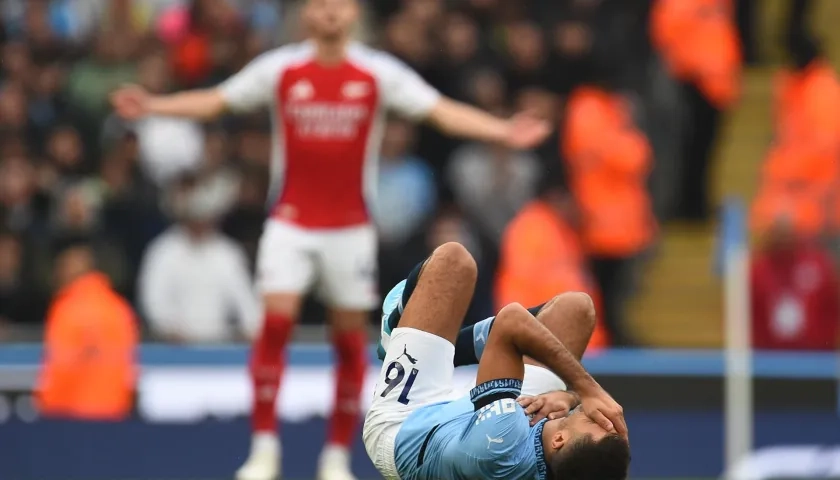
(461, 120)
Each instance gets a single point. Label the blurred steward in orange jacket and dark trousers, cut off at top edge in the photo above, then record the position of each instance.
(699, 43)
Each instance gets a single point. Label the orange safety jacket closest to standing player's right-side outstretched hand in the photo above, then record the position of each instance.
(609, 160)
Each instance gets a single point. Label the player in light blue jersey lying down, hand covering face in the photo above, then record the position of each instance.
(419, 429)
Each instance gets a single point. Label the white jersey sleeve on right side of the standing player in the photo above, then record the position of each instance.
(404, 91)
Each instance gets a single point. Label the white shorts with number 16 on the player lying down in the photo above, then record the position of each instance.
(418, 370)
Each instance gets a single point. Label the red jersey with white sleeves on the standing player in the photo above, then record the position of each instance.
(328, 123)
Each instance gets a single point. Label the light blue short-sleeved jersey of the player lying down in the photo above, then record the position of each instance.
(485, 435)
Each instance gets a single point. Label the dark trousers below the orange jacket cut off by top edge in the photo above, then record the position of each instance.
(702, 128)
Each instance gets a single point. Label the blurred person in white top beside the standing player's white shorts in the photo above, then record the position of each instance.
(194, 284)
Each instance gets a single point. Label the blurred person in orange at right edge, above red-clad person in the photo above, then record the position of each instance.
(800, 173)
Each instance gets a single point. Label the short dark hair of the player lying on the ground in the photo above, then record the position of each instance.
(586, 459)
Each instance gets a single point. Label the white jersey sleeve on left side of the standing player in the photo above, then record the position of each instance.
(253, 86)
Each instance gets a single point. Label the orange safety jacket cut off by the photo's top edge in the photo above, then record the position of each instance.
(699, 43)
